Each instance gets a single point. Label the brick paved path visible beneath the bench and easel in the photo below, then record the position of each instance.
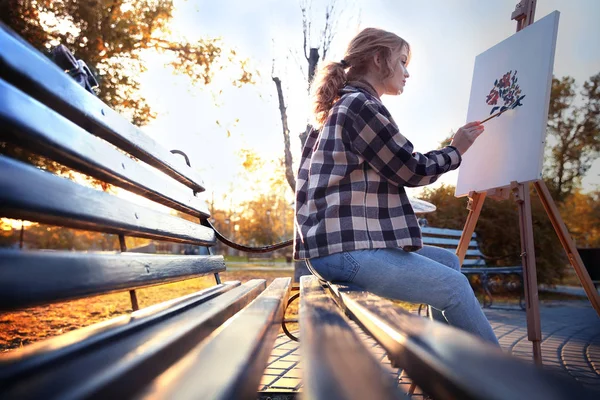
(570, 346)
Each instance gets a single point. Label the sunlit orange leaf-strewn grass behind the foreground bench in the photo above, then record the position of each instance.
(27, 326)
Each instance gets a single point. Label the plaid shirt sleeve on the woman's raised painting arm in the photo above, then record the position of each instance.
(374, 135)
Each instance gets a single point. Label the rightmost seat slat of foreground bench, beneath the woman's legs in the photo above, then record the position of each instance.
(449, 363)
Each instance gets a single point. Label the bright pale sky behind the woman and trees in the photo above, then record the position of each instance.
(445, 37)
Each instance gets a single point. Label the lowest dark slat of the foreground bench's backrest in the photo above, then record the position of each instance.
(61, 276)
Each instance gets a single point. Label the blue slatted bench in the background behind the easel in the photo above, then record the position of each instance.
(491, 279)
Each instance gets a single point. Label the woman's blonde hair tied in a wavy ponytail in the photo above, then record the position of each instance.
(333, 76)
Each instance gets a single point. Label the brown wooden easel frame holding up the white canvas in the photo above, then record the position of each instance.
(524, 14)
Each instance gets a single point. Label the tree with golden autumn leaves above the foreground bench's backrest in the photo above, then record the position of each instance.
(111, 37)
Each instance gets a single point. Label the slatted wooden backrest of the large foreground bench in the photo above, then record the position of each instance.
(43, 110)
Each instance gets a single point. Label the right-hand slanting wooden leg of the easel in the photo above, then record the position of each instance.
(568, 245)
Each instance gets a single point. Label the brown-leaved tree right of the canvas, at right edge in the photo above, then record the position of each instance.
(576, 129)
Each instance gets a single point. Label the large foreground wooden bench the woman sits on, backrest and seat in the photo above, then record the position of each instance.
(213, 344)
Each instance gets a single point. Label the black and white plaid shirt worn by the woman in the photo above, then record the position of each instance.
(350, 187)
